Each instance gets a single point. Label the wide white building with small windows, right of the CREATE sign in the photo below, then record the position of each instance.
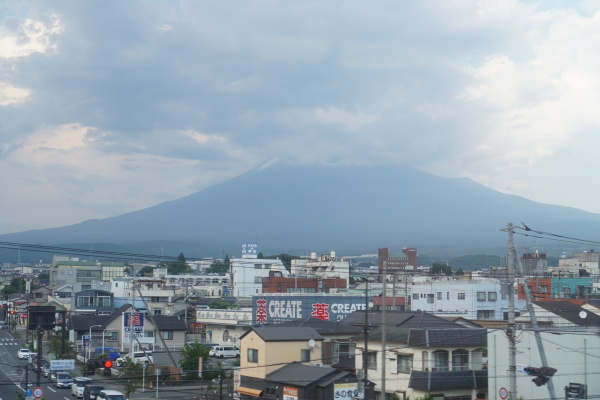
(475, 299)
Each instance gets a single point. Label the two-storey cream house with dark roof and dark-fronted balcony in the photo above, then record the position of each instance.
(445, 363)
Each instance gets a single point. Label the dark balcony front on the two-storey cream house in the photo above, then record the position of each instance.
(448, 380)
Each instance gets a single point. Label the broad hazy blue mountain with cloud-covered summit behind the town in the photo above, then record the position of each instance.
(349, 209)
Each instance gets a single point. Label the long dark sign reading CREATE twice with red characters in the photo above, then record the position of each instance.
(281, 308)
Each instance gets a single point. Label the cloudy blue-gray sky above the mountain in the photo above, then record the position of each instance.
(112, 106)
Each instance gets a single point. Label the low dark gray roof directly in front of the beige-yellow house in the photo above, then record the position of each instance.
(297, 374)
